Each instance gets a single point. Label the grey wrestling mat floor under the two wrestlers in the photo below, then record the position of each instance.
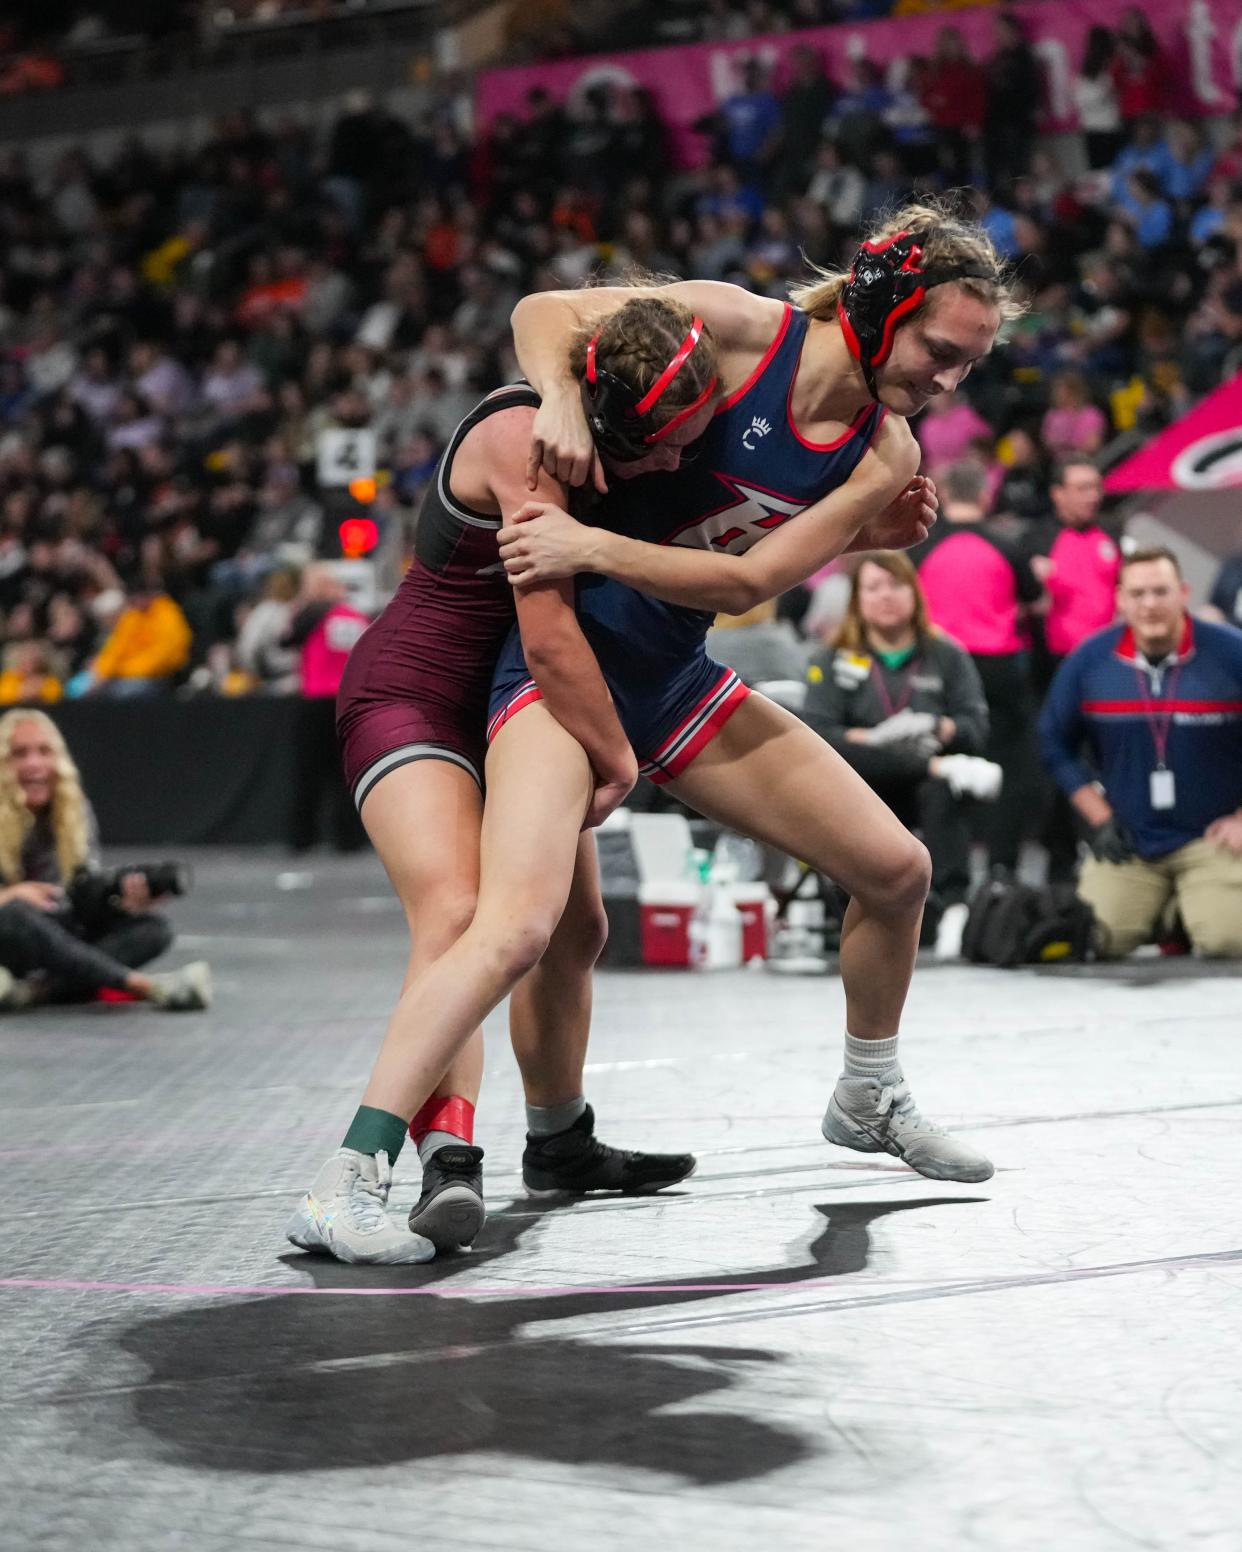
(803, 1349)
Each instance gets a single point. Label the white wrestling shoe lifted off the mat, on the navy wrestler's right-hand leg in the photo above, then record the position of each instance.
(883, 1118)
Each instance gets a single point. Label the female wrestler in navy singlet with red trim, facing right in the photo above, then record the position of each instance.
(805, 434)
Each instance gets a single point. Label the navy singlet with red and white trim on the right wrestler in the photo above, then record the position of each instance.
(751, 473)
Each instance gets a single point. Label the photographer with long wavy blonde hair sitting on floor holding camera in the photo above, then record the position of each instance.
(68, 927)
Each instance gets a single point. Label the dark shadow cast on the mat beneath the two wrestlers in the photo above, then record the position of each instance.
(304, 1384)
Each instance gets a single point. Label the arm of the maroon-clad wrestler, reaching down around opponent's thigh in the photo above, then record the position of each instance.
(558, 656)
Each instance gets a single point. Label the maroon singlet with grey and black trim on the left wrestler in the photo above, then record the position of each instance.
(417, 684)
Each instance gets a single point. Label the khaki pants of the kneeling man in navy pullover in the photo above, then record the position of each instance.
(1129, 899)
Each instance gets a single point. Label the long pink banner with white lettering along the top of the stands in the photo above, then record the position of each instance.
(1202, 38)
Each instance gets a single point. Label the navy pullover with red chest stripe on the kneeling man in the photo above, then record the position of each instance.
(1128, 712)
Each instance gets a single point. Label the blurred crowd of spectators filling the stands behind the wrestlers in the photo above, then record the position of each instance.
(179, 328)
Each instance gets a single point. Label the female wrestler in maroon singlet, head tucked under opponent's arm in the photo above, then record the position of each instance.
(412, 715)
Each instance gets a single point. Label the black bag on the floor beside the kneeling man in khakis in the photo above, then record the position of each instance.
(1016, 924)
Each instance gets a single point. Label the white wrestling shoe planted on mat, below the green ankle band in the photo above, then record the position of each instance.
(344, 1214)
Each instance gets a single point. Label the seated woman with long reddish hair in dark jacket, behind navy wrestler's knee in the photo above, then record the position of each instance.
(904, 705)
